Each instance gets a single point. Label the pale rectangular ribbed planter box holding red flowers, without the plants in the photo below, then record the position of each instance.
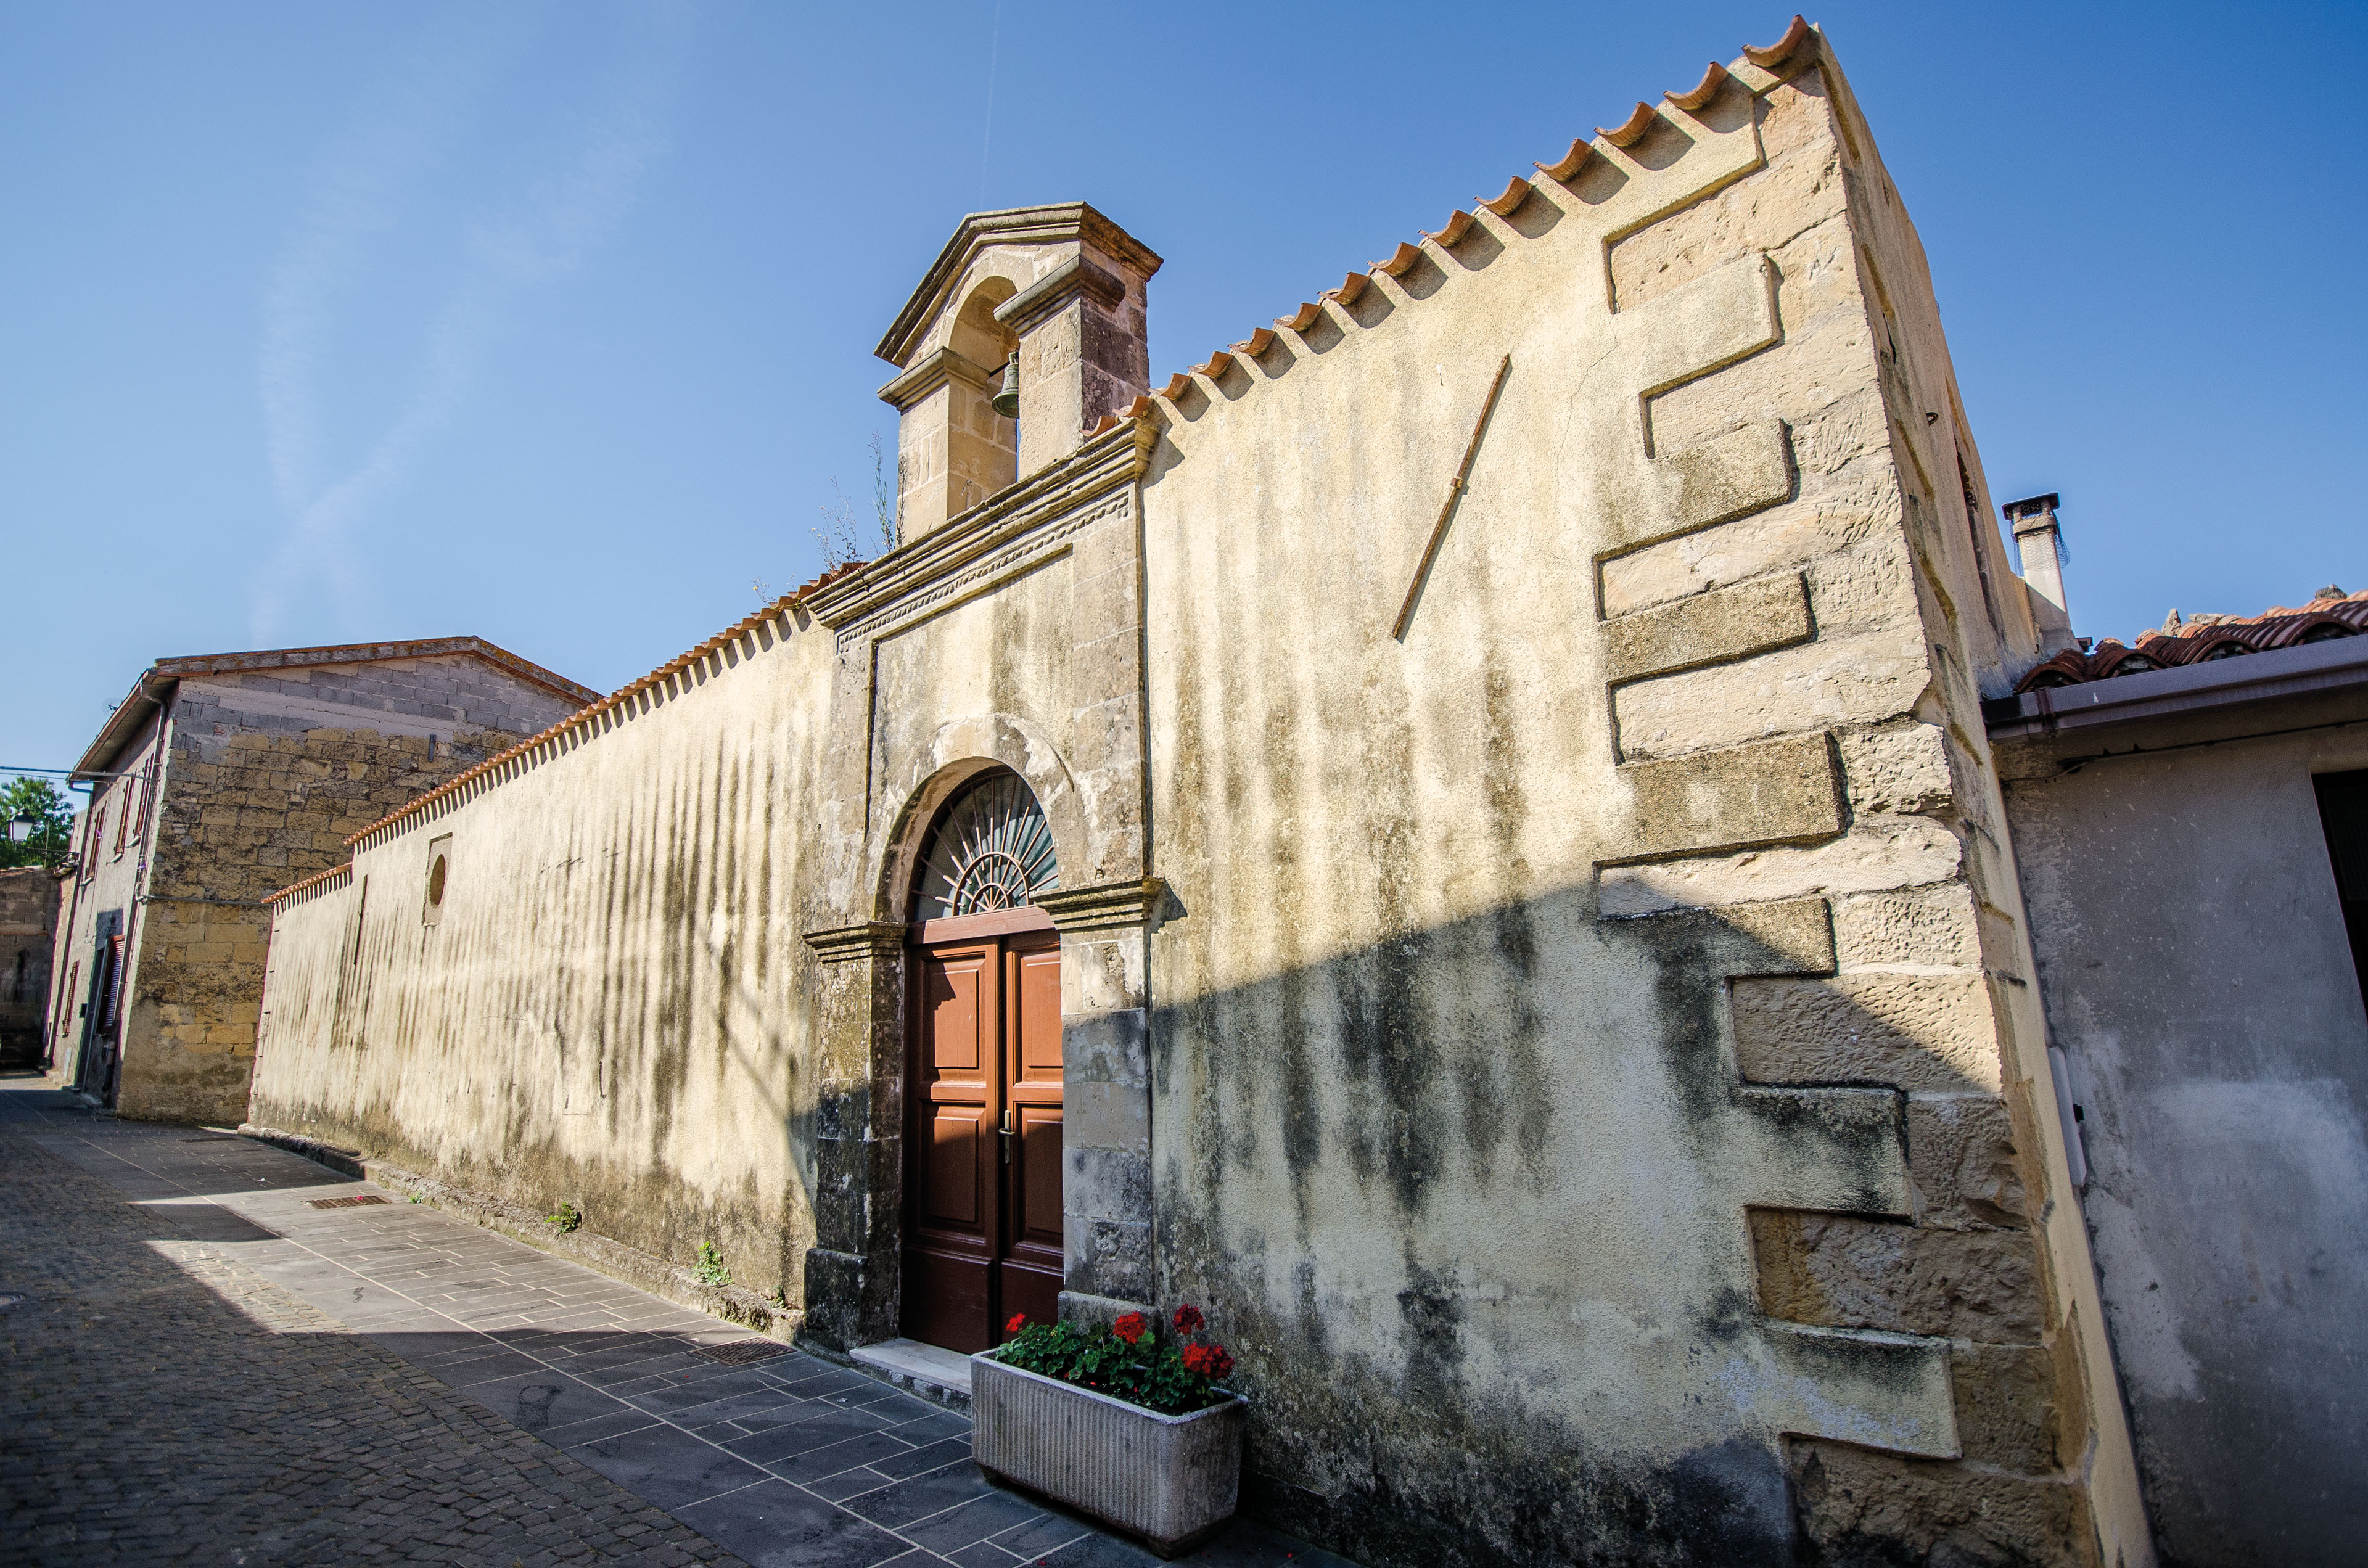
(1166, 1479)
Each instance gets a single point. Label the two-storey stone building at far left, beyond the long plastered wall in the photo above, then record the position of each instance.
(217, 780)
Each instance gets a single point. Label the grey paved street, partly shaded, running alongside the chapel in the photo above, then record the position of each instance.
(212, 1370)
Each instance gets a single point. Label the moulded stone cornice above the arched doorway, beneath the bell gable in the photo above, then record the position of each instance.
(986, 532)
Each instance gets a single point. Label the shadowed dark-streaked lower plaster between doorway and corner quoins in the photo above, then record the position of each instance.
(1469, 1204)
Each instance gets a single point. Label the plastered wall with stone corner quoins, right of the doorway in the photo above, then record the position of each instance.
(1581, 1079)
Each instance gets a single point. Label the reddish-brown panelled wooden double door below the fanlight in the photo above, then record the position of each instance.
(984, 1138)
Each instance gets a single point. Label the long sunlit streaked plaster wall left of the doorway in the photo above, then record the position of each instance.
(607, 1005)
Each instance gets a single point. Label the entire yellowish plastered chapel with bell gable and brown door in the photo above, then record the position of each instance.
(1458, 837)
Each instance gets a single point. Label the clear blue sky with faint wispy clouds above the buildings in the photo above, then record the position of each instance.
(553, 323)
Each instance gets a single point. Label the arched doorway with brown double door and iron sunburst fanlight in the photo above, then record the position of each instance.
(984, 1098)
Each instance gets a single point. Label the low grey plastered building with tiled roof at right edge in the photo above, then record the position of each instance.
(2192, 818)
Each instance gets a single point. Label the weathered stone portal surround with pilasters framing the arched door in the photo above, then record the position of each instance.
(1083, 757)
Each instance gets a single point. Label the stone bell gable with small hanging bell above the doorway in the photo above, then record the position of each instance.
(1057, 285)
